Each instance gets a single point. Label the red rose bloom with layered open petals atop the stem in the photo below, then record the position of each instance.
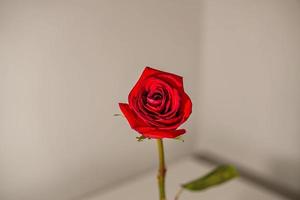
(157, 105)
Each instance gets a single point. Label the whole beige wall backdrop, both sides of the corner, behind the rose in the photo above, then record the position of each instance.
(64, 66)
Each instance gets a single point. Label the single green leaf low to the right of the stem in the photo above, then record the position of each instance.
(219, 175)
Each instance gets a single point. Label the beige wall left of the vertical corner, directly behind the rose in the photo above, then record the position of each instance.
(64, 66)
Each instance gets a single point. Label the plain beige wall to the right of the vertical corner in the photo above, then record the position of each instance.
(249, 79)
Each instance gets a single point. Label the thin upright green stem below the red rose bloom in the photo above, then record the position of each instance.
(162, 170)
